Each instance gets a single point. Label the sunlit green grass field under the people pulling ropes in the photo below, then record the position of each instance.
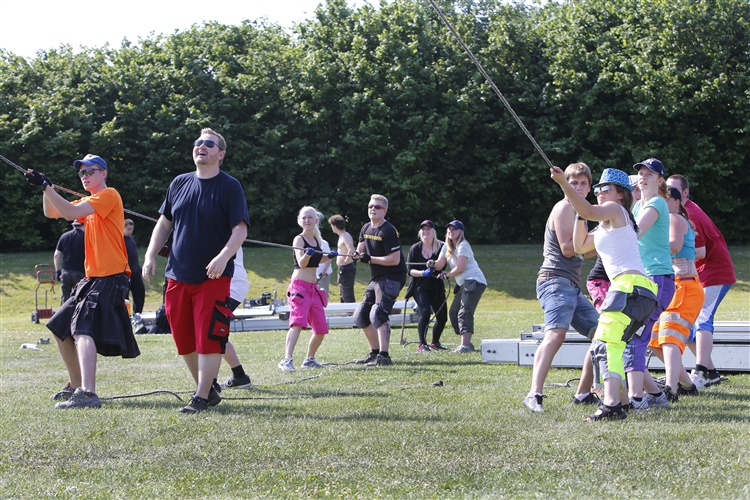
(349, 431)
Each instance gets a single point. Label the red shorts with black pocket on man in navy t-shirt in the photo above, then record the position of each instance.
(198, 315)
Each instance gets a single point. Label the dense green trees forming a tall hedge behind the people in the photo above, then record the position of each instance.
(362, 101)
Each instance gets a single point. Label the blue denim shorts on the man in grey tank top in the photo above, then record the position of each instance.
(564, 305)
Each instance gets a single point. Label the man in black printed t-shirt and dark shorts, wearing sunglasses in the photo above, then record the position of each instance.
(380, 246)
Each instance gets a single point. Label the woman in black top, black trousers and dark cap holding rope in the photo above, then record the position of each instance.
(428, 291)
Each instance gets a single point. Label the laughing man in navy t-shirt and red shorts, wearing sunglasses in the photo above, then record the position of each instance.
(207, 211)
